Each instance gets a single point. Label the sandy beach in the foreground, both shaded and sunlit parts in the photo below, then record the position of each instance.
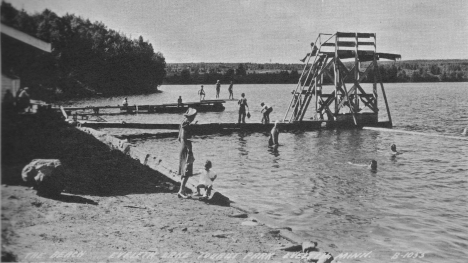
(111, 204)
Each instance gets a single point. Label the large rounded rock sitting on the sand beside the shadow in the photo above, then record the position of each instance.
(47, 176)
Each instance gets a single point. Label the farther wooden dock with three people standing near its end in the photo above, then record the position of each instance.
(201, 106)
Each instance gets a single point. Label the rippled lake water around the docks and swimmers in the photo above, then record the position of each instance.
(414, 202)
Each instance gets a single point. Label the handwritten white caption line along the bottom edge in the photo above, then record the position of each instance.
(277, 256)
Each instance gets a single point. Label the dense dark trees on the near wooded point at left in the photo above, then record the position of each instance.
(87, 58)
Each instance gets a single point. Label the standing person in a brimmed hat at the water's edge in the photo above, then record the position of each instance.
(186, 154)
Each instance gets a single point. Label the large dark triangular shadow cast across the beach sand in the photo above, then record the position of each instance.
(94, 168)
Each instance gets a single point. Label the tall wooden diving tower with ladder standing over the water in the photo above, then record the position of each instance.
(343, 104)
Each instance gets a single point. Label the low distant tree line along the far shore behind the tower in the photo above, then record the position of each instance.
(401, 71)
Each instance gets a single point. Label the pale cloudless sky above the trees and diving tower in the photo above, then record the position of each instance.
(277, 31)
